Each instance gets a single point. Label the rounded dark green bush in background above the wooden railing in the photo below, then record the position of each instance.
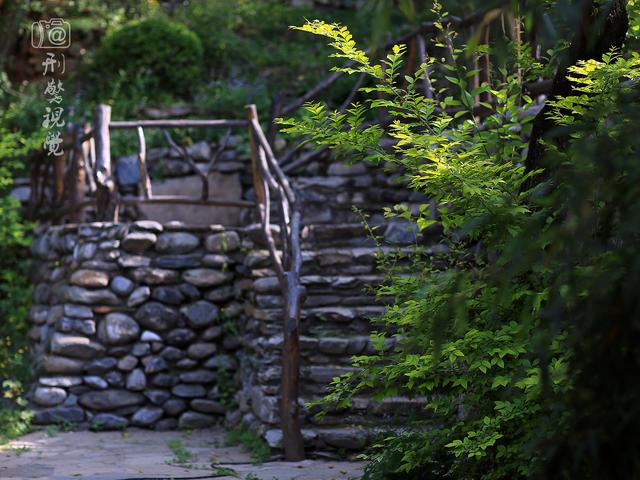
(156, 56)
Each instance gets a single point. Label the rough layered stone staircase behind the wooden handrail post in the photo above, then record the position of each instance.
(340, 272)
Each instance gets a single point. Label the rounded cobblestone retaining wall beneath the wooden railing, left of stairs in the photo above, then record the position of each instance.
(136, 324)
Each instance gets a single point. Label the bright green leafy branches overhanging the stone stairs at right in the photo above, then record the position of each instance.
(487, 332)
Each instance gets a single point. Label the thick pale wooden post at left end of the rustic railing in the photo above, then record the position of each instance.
(107, 194)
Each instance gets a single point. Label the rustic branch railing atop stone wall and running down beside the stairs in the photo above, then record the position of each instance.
(91, 163)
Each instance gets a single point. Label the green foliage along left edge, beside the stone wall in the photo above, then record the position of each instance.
(16, 141)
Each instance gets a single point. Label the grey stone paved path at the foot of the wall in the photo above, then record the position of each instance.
(139, 454)
